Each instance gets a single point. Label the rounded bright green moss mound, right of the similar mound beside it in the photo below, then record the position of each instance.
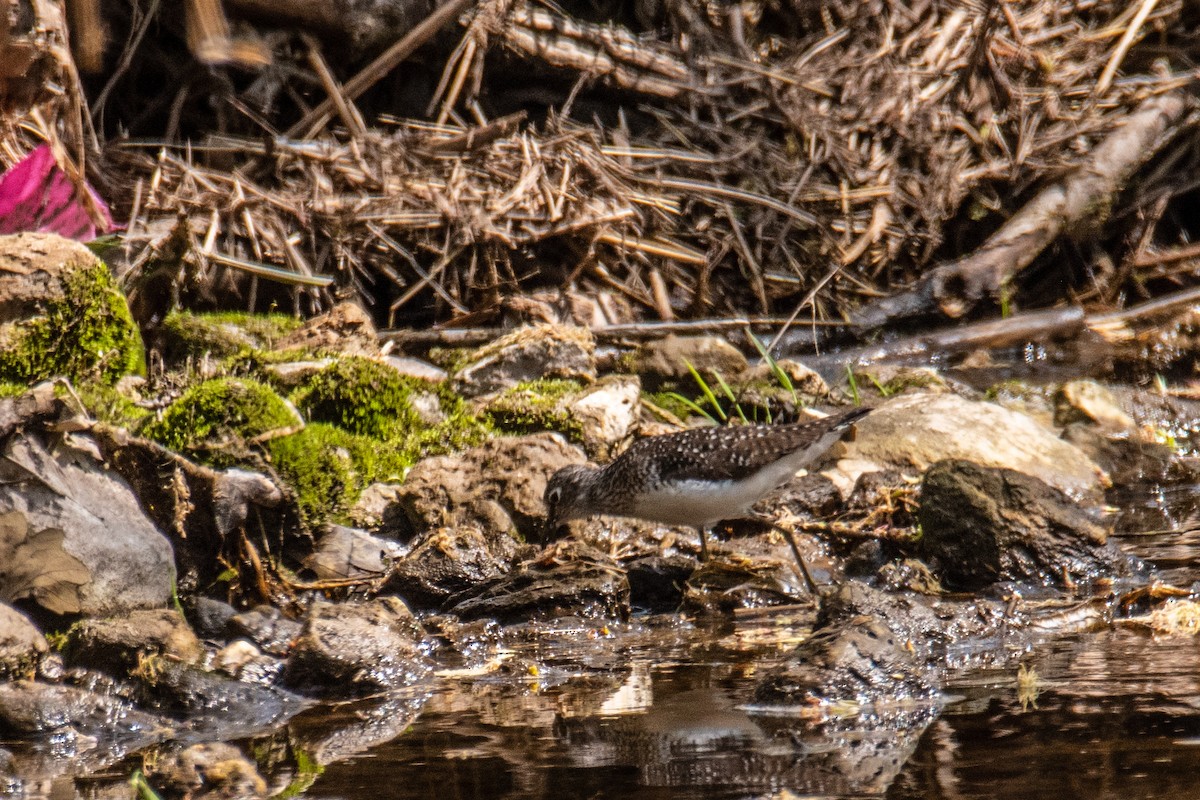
(361, 396)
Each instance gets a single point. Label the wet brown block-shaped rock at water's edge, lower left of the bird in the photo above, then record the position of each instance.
(358, 648)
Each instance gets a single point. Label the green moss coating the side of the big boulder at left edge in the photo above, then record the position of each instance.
(86, 334)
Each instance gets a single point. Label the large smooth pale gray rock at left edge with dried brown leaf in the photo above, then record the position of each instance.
(109, 557)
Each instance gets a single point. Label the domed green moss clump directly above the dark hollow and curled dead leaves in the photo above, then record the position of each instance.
(219, 413)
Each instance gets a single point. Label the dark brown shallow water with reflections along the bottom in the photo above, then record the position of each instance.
(652, 713)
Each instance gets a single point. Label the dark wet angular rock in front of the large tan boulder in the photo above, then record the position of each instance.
(986, 525)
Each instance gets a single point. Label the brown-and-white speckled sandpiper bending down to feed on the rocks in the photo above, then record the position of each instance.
(697, 478)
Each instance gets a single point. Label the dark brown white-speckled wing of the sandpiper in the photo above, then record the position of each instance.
(731, 453)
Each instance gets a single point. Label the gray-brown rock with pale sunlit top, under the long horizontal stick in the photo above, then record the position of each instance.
(529, 354)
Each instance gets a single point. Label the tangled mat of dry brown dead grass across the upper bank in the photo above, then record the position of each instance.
(759, 158)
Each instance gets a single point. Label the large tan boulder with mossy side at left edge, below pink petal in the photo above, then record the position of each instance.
(62, 314)
